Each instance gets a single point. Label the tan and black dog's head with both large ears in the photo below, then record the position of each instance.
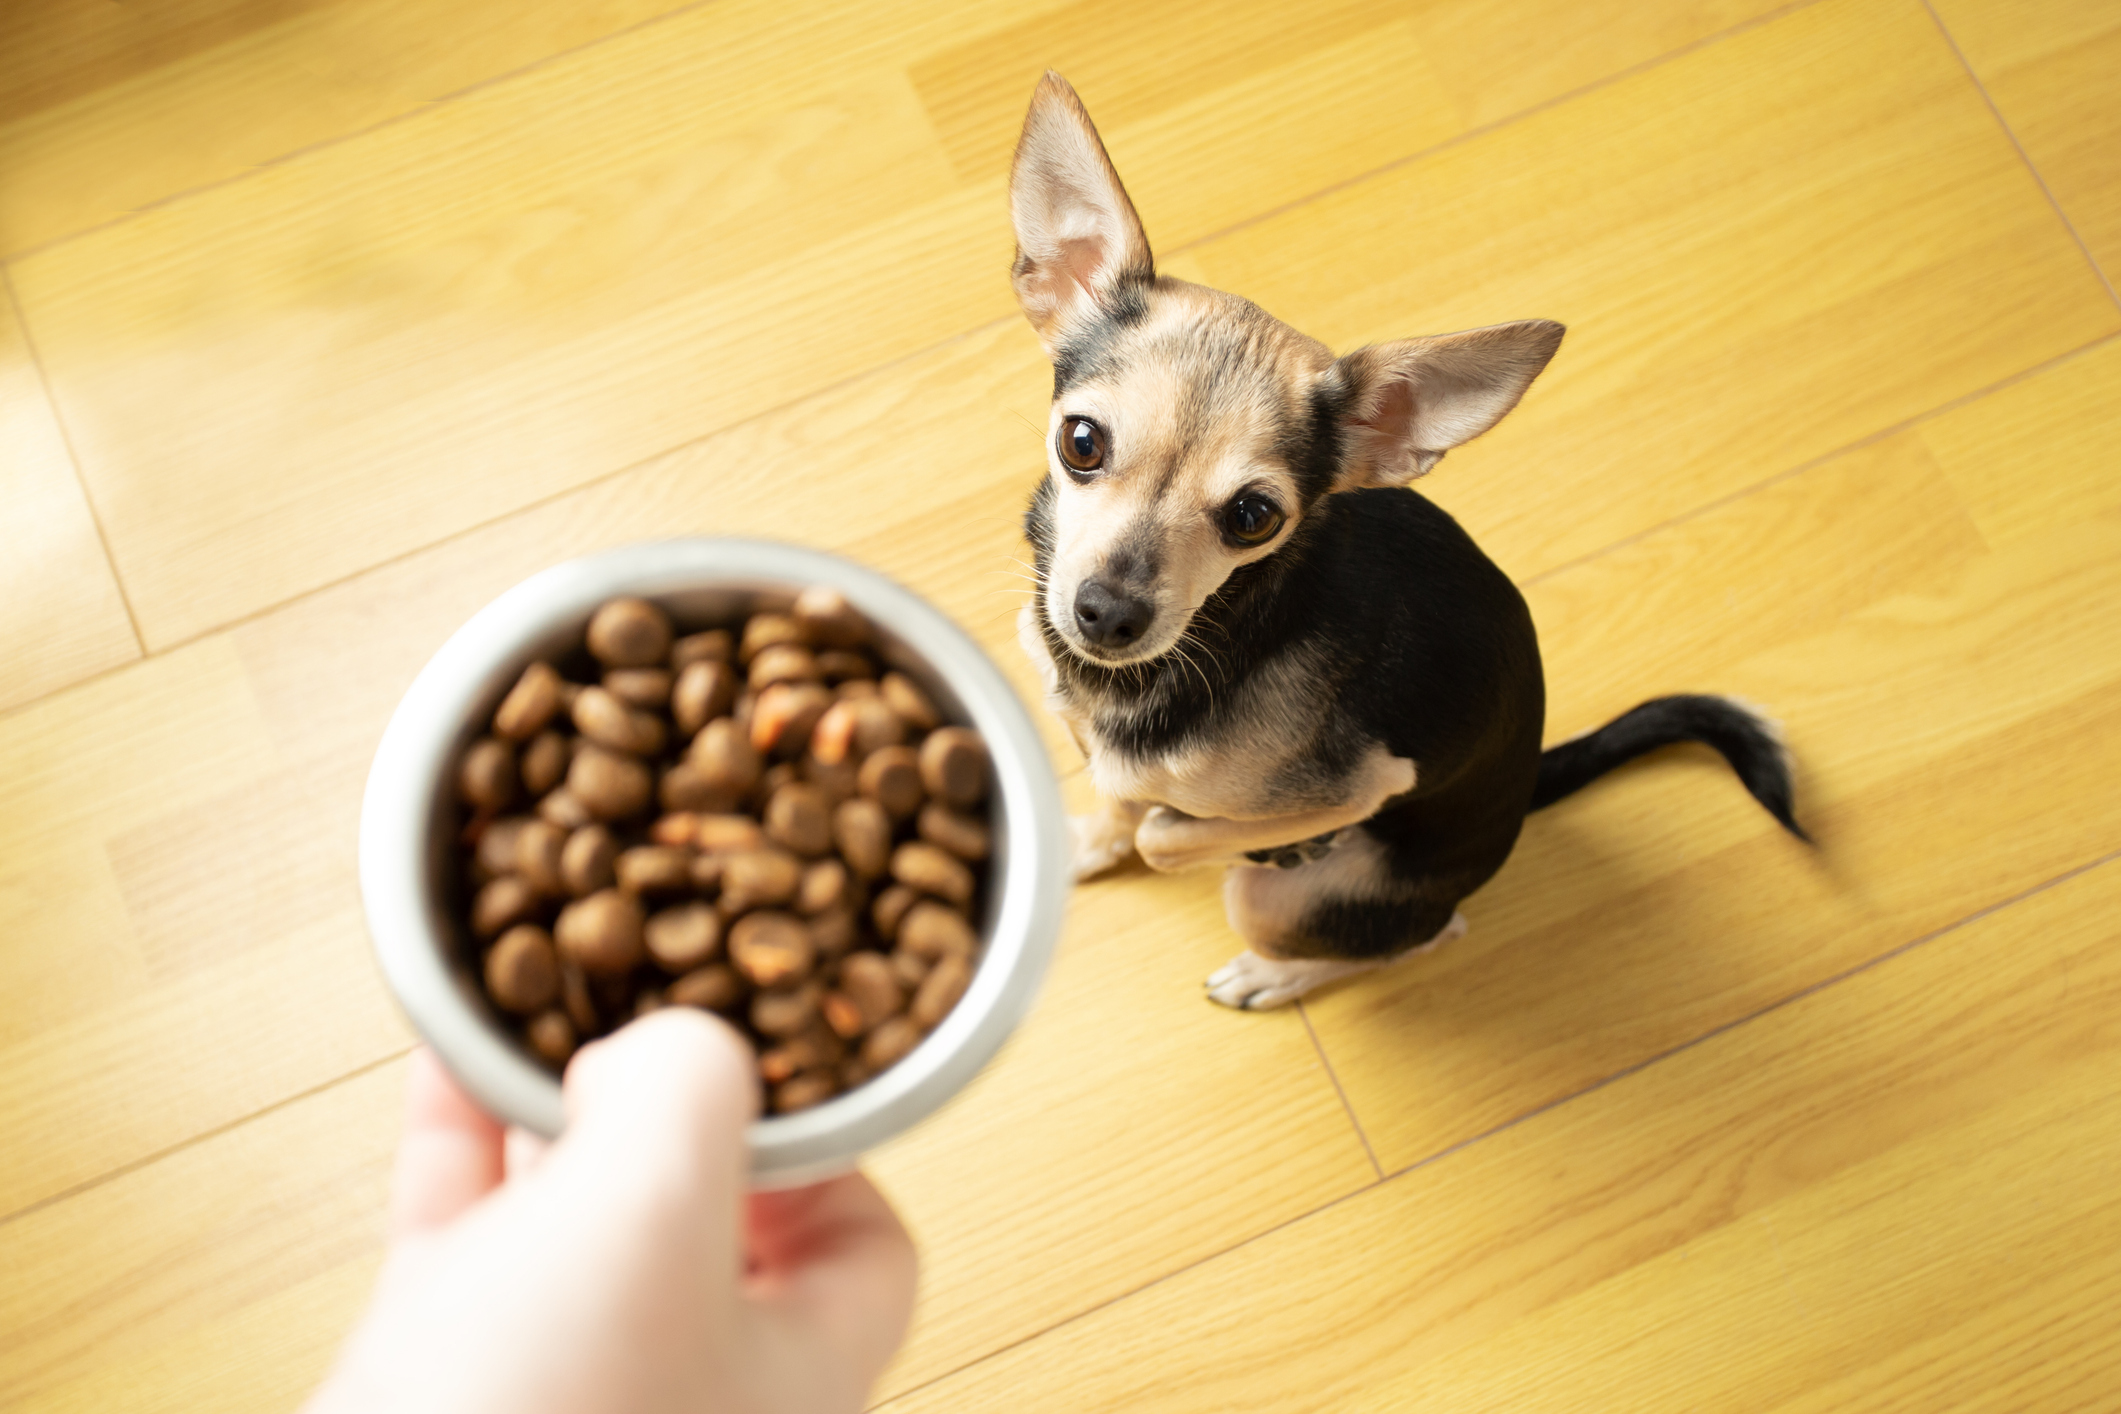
(1193, 431)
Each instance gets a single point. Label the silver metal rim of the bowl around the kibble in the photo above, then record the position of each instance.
(408, 794)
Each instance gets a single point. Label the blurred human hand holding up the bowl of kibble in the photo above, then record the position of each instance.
(625, 1269)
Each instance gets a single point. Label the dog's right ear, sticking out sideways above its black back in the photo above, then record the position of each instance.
(1412, 402)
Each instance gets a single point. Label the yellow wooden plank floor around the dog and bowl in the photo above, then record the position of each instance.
(330, 319)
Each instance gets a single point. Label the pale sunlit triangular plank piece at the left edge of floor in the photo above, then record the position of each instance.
(60, 609)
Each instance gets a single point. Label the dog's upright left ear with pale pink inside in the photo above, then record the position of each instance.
(1079, 241)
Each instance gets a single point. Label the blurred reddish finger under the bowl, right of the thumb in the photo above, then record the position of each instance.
(839, 1260)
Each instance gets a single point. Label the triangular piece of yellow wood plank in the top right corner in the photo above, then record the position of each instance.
(2050, 67)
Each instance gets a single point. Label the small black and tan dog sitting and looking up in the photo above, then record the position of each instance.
(1274, 654)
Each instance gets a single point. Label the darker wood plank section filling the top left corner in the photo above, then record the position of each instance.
(107, 109)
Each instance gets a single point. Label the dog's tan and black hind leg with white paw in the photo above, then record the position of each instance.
(1322, 921)
